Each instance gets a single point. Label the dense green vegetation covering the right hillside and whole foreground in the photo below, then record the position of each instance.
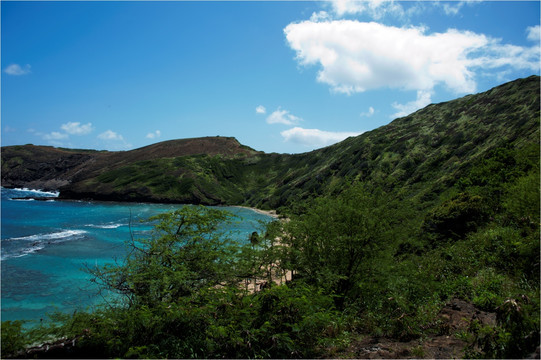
(442, 205)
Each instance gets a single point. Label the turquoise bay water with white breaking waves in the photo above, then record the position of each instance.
(45, 245)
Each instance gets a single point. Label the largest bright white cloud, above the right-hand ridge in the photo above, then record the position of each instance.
(356, 56)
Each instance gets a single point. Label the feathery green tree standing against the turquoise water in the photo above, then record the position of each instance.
(187, 252)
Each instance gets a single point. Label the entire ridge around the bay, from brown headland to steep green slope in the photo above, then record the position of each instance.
(418, 155)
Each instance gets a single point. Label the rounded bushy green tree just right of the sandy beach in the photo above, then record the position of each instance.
(329, 243)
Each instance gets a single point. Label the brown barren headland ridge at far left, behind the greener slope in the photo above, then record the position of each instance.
(49, 168)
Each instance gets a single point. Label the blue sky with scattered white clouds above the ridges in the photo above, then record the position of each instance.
(280, 76)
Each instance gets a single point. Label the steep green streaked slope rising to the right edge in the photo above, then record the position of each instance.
(431, 148)
